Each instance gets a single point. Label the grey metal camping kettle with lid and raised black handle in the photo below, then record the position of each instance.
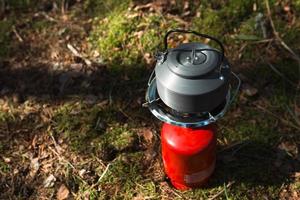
(192, 77)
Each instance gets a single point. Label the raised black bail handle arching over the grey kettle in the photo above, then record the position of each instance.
(195, 33)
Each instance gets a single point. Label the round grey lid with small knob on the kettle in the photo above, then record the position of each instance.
(190, 60)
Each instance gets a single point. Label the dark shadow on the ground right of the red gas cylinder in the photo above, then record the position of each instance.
(255, 164)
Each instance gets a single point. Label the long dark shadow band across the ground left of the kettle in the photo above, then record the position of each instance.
(45, 84)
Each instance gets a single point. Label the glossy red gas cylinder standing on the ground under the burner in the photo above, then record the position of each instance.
(189, 154)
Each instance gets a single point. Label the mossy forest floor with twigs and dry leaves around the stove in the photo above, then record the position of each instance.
(73, 76)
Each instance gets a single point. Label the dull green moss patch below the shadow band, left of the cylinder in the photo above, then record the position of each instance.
(83, 125)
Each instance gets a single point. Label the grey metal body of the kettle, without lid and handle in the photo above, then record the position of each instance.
(194, 94)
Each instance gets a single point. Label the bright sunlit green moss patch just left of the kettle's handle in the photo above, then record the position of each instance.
(124, 38)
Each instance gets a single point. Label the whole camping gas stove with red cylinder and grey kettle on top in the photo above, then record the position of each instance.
(189, 90)
